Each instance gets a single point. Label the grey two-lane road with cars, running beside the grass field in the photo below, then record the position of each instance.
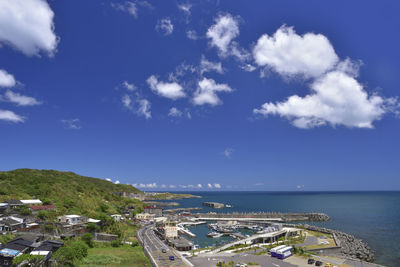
(154, 247)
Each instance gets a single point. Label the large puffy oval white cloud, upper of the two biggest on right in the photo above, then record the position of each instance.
(290, 54)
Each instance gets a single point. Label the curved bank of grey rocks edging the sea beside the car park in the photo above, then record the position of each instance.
(350, 246)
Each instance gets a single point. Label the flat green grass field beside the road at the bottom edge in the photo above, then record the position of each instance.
(120, 256)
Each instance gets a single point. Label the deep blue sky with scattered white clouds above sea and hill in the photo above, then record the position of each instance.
(203, 95)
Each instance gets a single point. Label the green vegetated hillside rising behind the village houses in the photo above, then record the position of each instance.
(71, 193)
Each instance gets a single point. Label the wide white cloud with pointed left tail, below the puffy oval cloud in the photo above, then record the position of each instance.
(336, 98)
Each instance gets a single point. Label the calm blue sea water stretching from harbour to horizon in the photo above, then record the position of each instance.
(371, 216)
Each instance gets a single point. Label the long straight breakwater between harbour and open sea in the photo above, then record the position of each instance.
(284, 217)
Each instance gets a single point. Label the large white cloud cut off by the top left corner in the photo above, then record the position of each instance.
(28, 26)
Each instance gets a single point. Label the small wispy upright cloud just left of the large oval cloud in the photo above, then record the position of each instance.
(225, 29)
